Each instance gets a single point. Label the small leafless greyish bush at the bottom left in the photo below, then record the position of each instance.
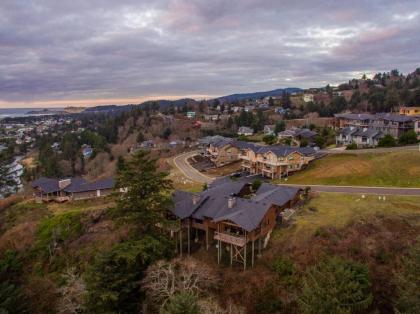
(72, 293)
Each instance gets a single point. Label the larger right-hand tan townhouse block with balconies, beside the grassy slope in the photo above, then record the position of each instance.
(276, 161)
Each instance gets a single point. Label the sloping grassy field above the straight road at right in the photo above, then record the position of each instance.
(399, 169)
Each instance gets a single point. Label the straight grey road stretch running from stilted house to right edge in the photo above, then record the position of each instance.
(362, 189)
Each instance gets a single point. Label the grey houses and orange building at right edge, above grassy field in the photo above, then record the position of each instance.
(366, 130)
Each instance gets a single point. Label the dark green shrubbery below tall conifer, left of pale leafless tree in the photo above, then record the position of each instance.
(113, 280)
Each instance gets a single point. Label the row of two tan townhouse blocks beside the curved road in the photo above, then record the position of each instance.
(275, 161)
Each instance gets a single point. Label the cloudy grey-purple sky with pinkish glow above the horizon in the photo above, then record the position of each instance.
(87, 52)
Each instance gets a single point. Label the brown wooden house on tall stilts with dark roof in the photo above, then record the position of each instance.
(231, 217)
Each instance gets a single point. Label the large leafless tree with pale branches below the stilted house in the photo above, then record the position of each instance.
(165, 279)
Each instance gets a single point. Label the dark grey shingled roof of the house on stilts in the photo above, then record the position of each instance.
(246, 213)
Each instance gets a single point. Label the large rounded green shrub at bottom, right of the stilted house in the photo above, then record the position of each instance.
(336, 286)
